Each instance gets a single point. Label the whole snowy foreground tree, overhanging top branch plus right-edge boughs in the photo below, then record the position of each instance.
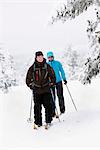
(69, 10)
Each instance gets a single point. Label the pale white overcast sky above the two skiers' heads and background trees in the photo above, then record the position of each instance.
(24, 27)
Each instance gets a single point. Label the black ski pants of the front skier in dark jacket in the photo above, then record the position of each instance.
(45, 100)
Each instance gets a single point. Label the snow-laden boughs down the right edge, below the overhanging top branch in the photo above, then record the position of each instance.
(92, 65)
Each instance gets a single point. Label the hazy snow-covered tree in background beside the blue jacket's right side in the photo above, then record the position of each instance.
(72, 63)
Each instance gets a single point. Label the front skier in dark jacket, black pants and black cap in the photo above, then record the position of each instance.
(40, 77)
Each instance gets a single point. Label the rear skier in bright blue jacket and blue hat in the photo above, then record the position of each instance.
(60, 75)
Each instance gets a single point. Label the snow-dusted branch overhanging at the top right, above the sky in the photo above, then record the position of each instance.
(69, 9)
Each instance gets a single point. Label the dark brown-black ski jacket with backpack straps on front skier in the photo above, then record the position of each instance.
(40, 77)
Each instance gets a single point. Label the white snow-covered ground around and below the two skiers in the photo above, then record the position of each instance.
(76, 129)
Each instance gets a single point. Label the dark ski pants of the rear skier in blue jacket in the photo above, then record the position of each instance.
(59, 89)
